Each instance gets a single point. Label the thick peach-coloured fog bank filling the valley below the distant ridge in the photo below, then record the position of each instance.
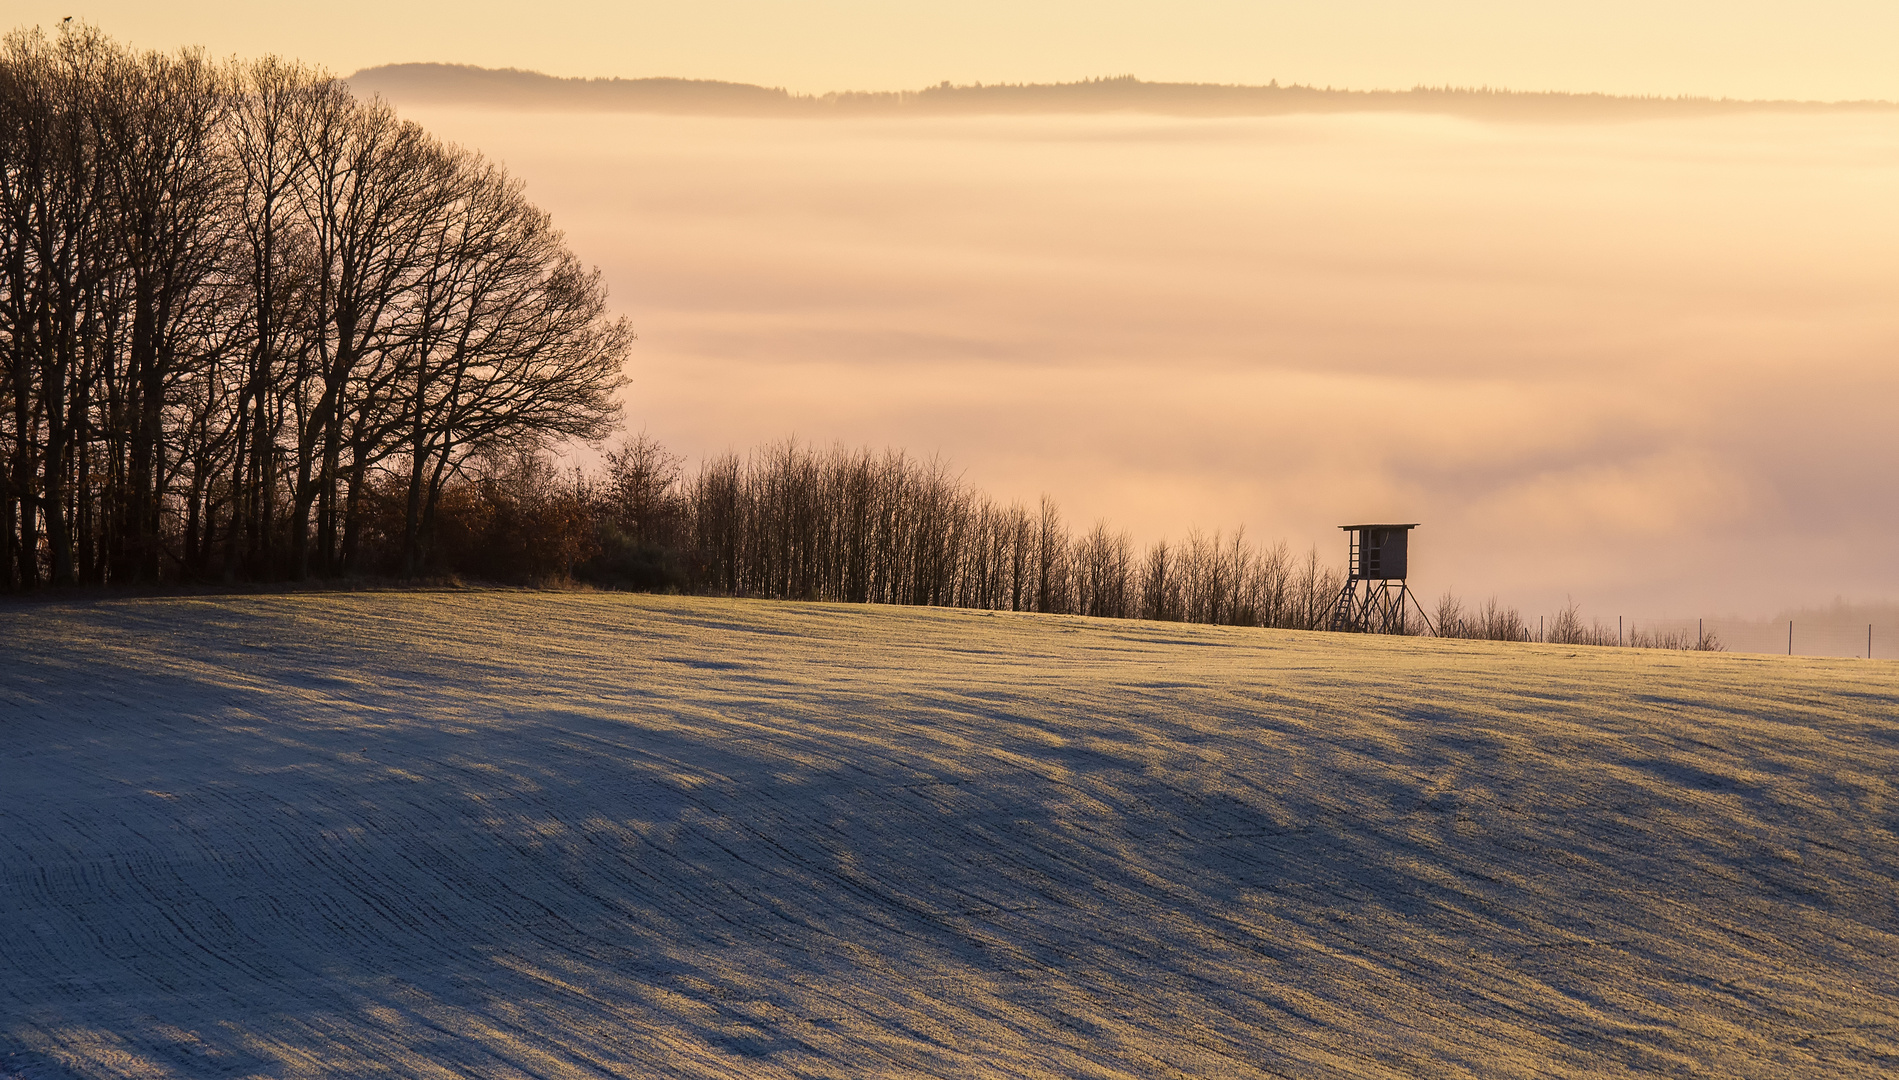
(1645, 365)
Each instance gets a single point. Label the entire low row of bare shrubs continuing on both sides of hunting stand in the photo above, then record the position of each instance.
(850, 525)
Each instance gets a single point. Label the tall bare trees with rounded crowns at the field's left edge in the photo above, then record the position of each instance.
(246, 314)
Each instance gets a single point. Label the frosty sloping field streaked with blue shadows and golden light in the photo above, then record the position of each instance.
(512, 834)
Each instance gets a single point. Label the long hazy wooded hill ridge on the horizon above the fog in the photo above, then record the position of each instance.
(508, 88)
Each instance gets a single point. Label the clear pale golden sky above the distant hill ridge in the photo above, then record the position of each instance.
(1735, 48)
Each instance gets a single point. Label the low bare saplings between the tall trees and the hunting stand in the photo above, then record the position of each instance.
(859, 527)
